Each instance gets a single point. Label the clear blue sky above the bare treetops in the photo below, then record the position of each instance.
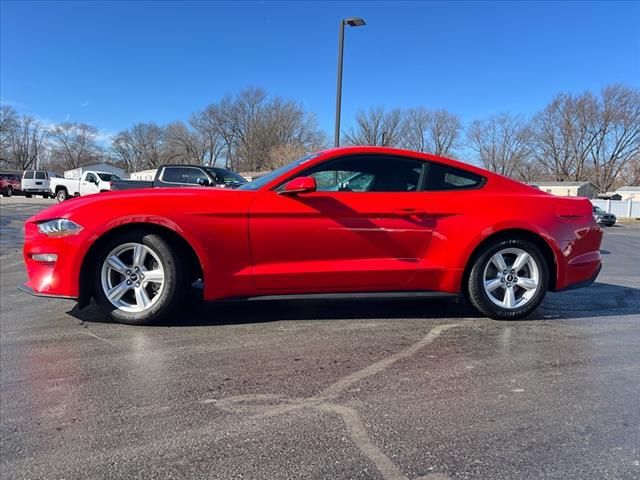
(114, 64)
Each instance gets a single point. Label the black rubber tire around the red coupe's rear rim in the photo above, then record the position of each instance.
(478, 295)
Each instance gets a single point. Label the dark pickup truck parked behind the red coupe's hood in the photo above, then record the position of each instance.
(185, 175)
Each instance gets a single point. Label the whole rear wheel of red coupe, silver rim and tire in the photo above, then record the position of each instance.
(509, 279)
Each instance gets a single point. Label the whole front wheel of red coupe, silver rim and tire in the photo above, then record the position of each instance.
(137, 279)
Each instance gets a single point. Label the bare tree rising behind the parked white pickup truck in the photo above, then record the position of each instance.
(74, 144)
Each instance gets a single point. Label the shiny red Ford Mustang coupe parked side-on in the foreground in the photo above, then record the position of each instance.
(360, 220)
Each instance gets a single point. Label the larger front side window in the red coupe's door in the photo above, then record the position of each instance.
(375, 173)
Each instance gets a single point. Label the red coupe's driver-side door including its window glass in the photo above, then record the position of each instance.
(366, 226)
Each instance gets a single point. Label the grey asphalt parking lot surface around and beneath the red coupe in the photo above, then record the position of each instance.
(325, 389)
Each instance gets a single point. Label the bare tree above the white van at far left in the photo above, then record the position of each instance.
(26, 143)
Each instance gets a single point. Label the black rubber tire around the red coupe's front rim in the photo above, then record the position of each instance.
(175, 279)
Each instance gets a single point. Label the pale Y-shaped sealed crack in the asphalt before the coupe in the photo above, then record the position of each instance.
(261, 406)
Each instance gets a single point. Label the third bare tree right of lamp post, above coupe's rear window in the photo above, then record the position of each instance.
(502, 142)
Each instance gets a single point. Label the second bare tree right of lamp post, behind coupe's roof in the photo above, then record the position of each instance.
(436, 132)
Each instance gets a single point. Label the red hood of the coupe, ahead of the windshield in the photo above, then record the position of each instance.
(136, 199)
